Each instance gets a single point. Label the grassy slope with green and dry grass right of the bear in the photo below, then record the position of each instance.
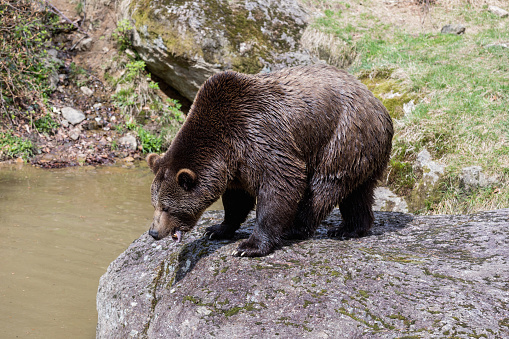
(461, 87)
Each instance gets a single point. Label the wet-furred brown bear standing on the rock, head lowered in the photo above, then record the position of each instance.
(296, 143)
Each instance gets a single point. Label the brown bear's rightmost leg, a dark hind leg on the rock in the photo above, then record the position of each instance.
(357, 213)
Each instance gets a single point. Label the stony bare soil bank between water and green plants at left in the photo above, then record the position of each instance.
(95, 140)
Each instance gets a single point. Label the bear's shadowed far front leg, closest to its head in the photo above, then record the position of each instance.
(237, 205)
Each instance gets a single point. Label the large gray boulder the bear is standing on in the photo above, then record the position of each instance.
(415, 276)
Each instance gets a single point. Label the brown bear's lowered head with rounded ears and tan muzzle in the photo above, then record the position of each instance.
(175, 199)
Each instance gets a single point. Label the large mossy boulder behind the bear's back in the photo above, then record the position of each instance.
(185, 42)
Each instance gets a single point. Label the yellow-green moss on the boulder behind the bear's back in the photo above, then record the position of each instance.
(243, 29)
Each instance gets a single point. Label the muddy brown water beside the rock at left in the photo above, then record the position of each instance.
(60, 229)
